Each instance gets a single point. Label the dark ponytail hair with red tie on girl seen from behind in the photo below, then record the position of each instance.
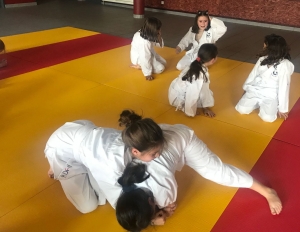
(206, 53)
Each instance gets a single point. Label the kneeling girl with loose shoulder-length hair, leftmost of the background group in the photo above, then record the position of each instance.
(142, 53)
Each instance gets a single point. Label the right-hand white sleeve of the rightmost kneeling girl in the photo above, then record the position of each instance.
(284, 86)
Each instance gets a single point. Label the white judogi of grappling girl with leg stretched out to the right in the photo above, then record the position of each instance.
(185, 148)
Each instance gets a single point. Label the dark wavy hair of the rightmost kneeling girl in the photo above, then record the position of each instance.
(276, 50)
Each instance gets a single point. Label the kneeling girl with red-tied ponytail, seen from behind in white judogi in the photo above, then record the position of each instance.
(190, 90)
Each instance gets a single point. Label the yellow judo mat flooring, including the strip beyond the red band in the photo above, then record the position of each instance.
(98, 87)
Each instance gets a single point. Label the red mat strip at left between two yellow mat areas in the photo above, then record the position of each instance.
(32, 59)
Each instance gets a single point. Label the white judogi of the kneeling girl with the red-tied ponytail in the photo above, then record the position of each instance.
(188, 96)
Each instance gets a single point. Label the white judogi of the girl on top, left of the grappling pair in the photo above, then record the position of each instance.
(86, 158)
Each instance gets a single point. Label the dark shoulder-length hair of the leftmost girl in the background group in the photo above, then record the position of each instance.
(150, 29)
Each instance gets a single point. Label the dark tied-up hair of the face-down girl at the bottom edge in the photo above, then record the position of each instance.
(133, 210)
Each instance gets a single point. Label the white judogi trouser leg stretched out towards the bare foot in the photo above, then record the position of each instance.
(210, 166)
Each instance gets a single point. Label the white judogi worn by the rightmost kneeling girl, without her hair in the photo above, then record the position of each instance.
(267, 89)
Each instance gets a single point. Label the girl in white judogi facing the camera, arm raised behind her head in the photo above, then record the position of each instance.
(206, 29)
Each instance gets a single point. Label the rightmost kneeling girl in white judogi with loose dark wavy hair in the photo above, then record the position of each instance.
(267, 86)
